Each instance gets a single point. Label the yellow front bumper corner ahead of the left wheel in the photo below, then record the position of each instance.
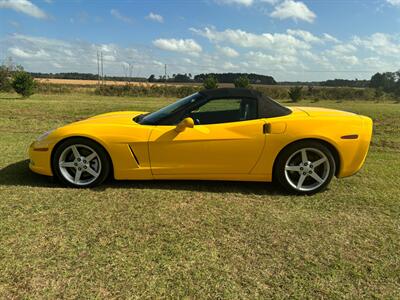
(39, 158)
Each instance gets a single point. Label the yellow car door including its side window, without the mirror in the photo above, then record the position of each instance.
(230, 142)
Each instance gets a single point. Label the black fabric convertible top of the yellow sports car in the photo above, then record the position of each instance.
(267, 108)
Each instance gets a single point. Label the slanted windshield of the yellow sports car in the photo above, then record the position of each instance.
(166, 111)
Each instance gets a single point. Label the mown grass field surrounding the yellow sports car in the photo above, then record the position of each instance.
(178, 239)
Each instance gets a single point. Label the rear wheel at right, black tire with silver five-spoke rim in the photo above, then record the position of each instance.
(287, 178)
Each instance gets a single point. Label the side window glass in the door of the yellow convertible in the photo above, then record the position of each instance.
(225, 110)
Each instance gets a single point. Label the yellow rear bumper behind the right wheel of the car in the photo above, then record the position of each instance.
(355, 159)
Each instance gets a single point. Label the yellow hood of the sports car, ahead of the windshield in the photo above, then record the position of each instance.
(119, 117)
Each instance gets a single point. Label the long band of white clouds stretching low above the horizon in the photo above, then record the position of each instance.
(285, 57)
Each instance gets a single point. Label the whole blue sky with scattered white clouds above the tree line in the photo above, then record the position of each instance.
(288, 39)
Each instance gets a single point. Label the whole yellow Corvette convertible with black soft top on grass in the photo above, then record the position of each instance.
(220, 134)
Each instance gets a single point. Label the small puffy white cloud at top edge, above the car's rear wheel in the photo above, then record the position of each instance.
(290, 9)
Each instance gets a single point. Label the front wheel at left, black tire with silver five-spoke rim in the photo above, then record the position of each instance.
(80, 162)
